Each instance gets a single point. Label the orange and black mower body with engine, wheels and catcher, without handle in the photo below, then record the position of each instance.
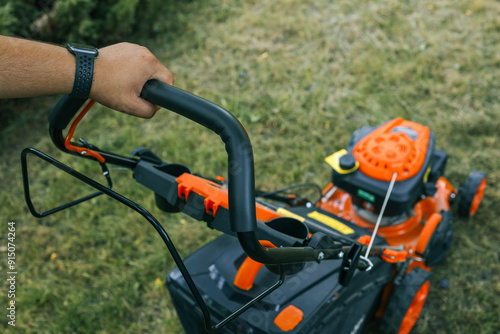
(416, 229)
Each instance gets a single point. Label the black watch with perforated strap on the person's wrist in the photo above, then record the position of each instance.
(85, 56)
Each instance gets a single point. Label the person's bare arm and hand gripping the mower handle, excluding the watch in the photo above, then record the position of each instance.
(30, 69)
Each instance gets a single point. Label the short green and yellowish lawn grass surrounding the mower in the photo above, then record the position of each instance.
(301, 76)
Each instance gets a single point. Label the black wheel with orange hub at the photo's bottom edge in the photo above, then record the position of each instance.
(406, 302)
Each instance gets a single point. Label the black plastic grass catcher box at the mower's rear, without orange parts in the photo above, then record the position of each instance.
(328, 306)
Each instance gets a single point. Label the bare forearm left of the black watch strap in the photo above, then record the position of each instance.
(29, 68)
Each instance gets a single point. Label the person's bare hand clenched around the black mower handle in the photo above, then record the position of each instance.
(120, 72)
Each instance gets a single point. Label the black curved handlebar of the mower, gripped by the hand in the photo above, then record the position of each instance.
(241, 179)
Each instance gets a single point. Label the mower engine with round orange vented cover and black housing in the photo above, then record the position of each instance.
(374, 155)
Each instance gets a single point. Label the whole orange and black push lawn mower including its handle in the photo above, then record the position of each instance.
(363, 250)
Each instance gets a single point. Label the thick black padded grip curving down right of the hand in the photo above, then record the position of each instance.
(241, 180)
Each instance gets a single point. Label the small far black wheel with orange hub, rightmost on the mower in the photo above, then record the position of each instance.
(471, 194)
